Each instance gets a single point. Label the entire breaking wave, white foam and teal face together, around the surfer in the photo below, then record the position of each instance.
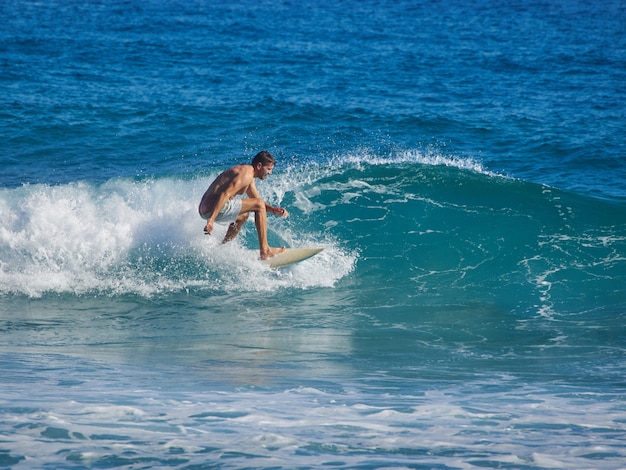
(431, 225)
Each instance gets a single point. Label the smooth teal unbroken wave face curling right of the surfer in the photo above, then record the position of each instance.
(451, 232)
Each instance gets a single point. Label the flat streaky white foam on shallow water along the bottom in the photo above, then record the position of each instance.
(308, 427)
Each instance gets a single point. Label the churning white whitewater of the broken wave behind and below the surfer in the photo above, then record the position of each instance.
(144, 237)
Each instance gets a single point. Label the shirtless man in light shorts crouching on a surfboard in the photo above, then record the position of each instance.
(220, 204)
